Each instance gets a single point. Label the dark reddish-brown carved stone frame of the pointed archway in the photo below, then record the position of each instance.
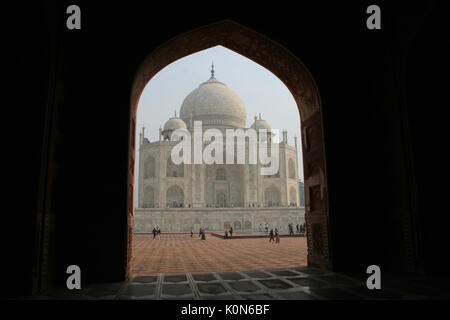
(291, 71)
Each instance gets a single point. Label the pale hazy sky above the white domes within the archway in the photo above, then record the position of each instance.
(260, 90)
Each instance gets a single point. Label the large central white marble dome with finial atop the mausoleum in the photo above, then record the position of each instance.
(215, 105)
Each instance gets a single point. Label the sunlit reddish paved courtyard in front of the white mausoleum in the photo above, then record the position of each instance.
(179, 253)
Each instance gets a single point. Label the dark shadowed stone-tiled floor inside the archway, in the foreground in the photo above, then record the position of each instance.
(301, 283)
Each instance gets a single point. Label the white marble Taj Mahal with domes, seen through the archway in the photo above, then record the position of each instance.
(178, 197)
